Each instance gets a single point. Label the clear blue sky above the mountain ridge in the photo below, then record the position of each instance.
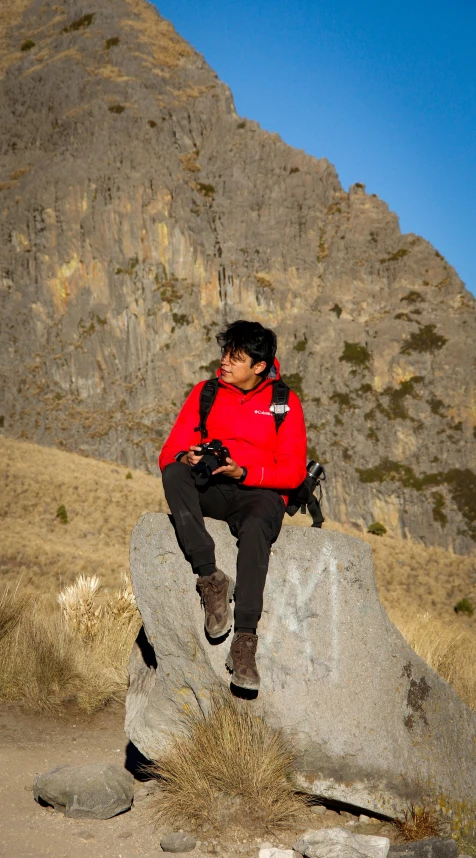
(385, 91)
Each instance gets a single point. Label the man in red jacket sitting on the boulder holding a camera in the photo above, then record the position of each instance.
(249, 492)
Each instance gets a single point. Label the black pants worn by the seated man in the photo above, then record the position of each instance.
(253, 515)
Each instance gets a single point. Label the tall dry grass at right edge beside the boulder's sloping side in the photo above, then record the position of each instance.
(447, 646)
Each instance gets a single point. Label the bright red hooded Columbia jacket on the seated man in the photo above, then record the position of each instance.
(243, 422)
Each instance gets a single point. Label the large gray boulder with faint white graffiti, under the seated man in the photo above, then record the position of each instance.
(375, 725)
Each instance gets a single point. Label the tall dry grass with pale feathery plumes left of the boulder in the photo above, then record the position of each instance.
(73, 653)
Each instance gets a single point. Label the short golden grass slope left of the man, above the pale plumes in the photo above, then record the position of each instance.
(102, 506)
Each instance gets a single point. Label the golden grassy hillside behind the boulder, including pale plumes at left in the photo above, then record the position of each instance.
(63, 515)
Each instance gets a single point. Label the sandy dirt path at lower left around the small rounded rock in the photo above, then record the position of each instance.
(30, 745)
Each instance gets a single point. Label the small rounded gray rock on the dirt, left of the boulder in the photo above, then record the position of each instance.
(95, 791)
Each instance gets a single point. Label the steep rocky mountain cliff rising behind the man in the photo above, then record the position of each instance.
(139, 213)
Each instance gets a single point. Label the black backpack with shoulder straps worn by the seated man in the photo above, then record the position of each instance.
(301, 497)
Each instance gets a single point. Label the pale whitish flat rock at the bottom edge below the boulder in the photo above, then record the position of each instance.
(339, 843)
